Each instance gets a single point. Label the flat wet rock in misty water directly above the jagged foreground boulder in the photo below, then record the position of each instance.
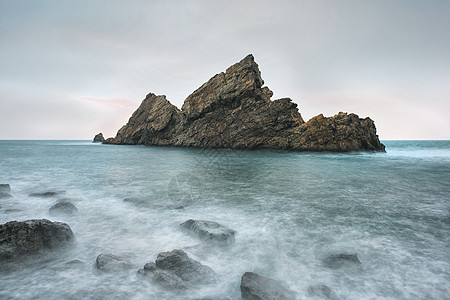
(209, 231)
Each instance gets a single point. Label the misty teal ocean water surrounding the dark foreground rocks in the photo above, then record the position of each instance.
(290, 211)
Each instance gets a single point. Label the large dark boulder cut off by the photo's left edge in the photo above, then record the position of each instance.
(32, 236)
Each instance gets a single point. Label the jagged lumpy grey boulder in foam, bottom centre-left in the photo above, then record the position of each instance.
(175, 270)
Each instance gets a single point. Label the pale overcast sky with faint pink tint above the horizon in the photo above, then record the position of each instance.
(71, 69)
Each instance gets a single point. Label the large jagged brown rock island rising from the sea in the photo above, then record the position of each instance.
(234, 110)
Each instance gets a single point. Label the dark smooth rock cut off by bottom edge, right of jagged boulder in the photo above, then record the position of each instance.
(256, 287)
